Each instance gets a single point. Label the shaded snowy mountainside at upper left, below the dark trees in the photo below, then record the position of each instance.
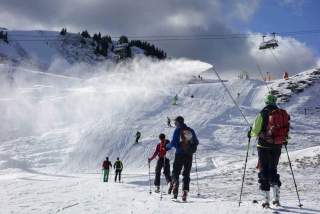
(42, 48)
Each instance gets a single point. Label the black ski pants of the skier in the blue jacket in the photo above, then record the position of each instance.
(185, 161)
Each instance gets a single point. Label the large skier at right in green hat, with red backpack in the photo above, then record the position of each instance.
(271, 127)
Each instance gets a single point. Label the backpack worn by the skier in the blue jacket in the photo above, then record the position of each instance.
(188, 143)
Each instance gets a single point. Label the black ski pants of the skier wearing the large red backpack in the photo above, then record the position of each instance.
(268, 161)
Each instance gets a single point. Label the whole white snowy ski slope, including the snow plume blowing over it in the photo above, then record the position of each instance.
(56, 131)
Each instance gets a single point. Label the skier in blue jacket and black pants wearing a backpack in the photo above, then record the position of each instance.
(185, 142)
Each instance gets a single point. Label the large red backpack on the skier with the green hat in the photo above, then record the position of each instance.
(278, 126)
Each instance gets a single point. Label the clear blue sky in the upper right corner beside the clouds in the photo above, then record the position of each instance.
(284, 16)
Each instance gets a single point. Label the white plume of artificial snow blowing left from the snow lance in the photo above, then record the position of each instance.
(93, 113)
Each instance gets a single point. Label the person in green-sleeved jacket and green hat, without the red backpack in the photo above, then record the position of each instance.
(268, 153)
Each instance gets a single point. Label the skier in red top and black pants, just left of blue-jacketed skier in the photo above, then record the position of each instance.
(162, 162)
